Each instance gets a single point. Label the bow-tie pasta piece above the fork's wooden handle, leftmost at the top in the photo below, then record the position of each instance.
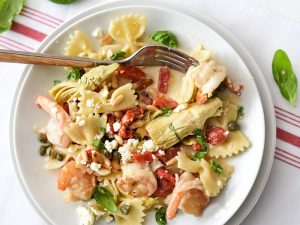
(77, 44)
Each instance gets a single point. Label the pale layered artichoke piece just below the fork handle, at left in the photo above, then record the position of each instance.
(69, 90)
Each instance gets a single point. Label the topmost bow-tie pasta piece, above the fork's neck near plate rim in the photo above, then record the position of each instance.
(127, 30)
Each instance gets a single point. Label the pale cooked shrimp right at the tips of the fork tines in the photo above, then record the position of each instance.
(207, 77)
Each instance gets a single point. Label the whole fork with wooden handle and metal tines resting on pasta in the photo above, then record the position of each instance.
(152, 55)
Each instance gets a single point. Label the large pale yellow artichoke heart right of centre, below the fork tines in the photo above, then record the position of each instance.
(183, 122)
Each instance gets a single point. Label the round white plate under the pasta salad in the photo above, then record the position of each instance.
(40, 185)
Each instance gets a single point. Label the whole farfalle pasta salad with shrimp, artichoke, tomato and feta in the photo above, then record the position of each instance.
(128, 139)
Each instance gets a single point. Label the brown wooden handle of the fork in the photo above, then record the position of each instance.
(44, 59)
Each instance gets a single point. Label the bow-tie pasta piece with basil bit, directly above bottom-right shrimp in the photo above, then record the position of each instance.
(213, 183)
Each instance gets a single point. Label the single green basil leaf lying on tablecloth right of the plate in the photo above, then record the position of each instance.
(284, 76)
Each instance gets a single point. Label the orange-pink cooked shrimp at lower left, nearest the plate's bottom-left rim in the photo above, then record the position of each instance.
(79, 184)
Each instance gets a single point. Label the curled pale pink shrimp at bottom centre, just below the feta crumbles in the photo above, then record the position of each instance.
(137, 180)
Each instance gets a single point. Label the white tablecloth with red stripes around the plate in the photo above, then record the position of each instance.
(262, 26)
